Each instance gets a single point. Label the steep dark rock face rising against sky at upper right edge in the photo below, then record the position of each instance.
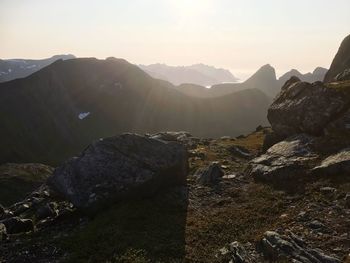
(341, 60)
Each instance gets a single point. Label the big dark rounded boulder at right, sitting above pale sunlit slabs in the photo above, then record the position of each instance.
(302, 107)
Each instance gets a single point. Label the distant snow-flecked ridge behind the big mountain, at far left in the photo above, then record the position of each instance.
(19, 68)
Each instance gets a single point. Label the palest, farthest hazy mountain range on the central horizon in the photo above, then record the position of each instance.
(198, 74)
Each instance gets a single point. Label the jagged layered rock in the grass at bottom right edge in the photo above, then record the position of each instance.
(276, 247)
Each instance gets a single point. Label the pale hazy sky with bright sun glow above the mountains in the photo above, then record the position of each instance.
(240, 35)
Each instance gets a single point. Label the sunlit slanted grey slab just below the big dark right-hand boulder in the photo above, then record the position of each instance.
(284, 161)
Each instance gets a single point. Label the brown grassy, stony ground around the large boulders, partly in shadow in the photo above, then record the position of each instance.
(225, 216)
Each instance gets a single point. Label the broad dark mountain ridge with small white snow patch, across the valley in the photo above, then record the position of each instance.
(56, 112)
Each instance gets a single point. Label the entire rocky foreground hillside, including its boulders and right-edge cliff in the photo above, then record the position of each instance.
(279, 194)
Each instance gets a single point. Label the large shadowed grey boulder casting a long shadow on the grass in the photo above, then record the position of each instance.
(119, 167)
